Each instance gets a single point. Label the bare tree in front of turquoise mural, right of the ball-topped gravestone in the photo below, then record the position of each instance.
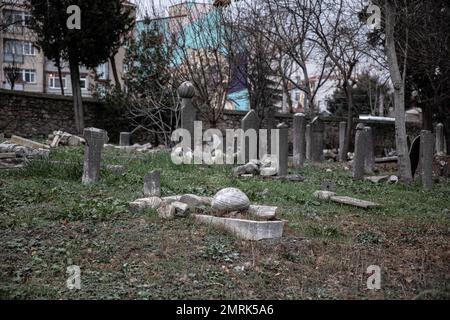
(196, 34)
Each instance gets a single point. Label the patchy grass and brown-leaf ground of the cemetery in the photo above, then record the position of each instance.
(50, 220)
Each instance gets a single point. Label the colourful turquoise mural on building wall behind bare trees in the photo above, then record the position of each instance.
(187, 23)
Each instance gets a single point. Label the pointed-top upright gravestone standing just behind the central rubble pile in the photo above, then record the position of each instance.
(250, 126)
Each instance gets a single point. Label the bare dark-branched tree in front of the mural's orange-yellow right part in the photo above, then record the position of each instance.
(255, 59)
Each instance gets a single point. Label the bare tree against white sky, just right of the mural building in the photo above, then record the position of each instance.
(291, 28)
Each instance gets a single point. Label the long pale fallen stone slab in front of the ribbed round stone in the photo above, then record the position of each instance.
(246, 229)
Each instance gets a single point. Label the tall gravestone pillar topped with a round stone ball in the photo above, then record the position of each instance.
(186, 91)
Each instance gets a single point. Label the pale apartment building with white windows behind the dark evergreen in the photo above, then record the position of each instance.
(23, 66)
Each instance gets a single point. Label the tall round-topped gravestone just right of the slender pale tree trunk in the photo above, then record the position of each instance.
(427, 145)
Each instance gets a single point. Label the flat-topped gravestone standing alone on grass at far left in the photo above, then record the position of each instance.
(95, 139)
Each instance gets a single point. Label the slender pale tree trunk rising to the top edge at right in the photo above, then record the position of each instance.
(404, 163)
